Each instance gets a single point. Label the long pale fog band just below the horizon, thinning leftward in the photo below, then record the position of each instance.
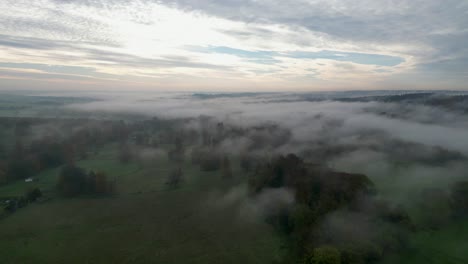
(306, 120)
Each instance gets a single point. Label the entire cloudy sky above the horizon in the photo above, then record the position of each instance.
(234, 45)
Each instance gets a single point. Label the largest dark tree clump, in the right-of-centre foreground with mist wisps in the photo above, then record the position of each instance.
(319, 192)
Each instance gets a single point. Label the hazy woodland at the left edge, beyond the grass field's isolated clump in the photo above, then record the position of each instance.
(32, 154)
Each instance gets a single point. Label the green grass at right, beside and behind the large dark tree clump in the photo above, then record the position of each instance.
(447, 245)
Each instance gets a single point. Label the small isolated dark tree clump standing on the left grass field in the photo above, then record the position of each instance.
(74, 181)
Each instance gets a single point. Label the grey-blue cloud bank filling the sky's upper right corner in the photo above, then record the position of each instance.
(438, 29)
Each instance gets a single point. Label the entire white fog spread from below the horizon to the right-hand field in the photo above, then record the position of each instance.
(397, 143)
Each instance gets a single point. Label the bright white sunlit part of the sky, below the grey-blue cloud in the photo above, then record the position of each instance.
(146, 44)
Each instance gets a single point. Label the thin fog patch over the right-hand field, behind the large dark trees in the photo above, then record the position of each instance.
(401, 183)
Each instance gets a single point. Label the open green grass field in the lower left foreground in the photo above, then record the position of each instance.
(143, 223)
